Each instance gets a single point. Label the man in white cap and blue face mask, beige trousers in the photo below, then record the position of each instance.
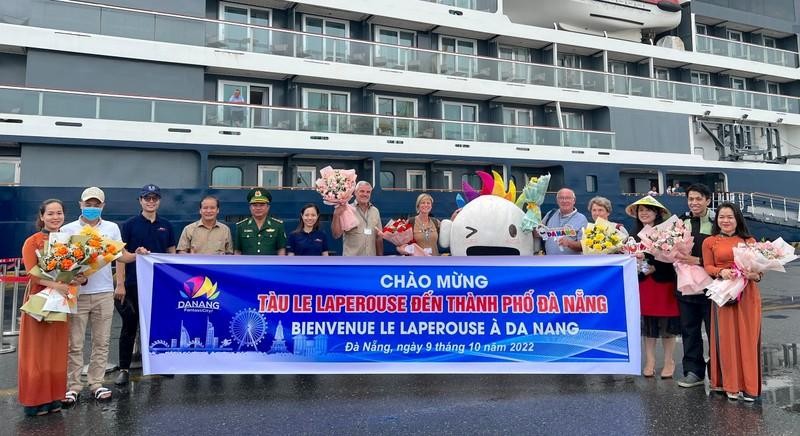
(95, 303)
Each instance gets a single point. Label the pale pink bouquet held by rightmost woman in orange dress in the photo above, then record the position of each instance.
(754, 257)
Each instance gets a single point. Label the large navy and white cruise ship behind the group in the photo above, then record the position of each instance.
(610, 97)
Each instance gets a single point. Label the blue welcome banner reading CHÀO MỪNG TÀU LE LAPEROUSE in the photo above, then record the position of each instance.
(279, 315)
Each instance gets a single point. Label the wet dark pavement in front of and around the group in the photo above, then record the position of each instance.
(441, 404)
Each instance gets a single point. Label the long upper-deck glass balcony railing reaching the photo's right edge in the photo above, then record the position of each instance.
(131, 23)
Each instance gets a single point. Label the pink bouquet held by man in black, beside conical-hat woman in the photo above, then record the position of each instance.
(669, 240)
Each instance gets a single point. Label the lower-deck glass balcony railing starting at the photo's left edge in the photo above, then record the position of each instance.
(72, 104)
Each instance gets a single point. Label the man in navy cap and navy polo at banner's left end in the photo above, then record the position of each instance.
(148, 233)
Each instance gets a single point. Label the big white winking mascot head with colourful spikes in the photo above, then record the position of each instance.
(489, 225)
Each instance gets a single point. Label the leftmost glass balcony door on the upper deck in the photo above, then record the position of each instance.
(240, 37)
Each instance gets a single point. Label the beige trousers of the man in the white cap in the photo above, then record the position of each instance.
(99, 309)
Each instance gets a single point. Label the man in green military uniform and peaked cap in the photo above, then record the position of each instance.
(260, 234)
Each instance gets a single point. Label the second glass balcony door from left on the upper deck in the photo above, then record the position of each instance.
(327, 49)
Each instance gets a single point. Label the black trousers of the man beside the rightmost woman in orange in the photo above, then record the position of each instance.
(695, 310)
